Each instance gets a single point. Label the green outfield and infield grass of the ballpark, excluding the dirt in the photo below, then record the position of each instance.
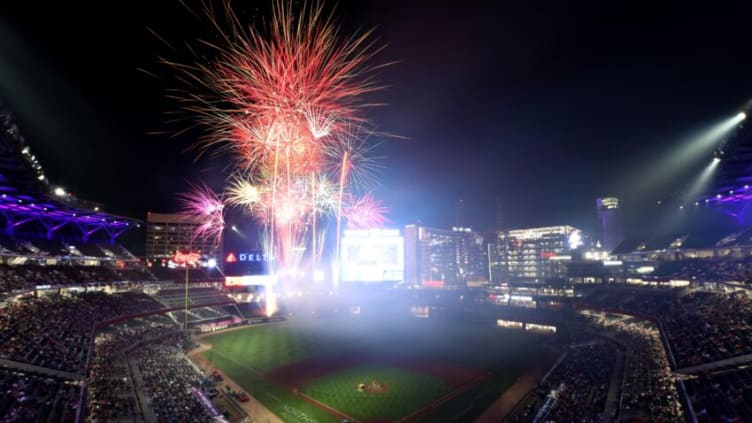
(246, 354)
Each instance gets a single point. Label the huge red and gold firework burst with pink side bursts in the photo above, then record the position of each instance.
(283, 103)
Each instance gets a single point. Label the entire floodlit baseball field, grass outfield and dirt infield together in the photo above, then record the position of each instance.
(374, 370)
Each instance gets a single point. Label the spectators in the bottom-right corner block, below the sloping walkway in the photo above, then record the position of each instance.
(724, 396)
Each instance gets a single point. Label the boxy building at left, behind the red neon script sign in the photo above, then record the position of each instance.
(167, 233)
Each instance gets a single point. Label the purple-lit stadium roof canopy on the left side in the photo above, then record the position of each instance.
(27, 197)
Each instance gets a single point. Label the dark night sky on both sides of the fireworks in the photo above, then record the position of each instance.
(546, 107)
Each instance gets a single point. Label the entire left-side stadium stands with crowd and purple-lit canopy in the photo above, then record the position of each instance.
(53, 246)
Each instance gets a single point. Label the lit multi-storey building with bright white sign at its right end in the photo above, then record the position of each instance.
(532, 255)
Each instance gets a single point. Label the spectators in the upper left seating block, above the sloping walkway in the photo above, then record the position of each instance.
(55, 331)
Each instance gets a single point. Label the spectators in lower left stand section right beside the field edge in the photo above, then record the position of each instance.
(168, 379)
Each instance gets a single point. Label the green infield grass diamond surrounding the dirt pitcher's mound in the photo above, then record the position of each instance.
(407, 391)
